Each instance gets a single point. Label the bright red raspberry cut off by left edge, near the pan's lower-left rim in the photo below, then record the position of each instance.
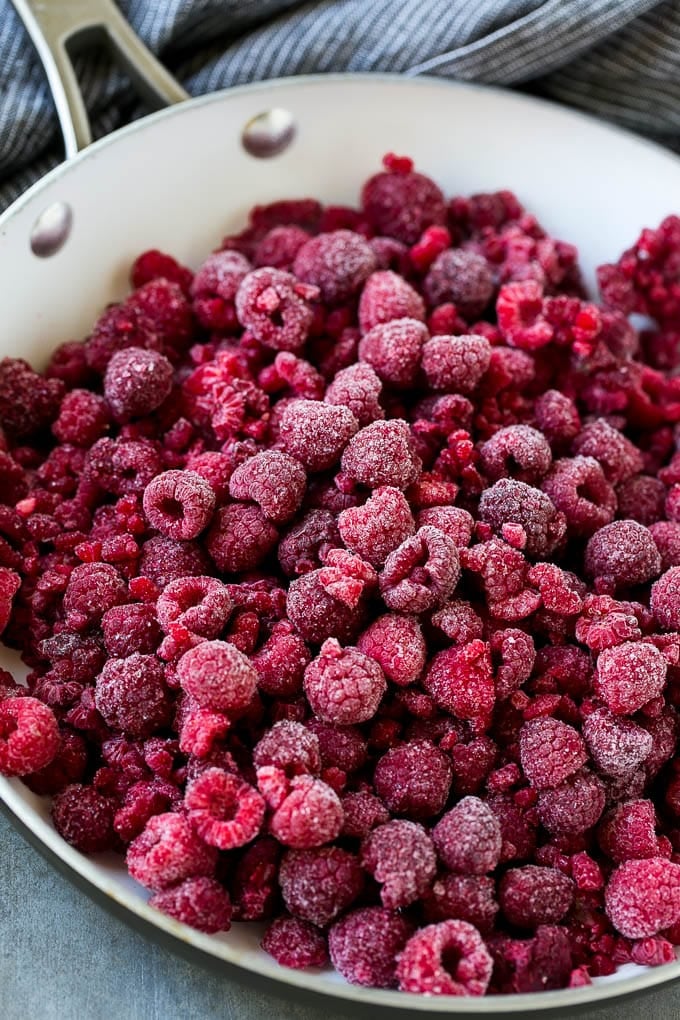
(29, 736)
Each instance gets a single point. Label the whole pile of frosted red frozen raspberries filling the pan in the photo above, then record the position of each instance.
(347, 572)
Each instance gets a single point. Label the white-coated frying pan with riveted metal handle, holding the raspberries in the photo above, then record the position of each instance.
(179, 181)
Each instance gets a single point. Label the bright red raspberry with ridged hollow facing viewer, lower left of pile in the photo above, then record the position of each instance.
(225, 811)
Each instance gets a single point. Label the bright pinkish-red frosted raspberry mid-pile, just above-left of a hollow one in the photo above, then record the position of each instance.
(377, 529)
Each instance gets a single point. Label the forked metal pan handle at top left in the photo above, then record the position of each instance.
(62, 30)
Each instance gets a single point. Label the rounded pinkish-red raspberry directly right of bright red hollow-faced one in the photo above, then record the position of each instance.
(310, 815)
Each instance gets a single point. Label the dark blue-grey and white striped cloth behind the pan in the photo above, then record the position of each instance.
(617, 59)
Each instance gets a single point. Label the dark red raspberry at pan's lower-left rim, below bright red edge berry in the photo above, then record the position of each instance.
(84, 819)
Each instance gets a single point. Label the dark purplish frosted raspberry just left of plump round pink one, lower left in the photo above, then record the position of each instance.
(132, 696)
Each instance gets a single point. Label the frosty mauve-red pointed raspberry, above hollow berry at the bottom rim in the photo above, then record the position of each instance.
(468, 838)
